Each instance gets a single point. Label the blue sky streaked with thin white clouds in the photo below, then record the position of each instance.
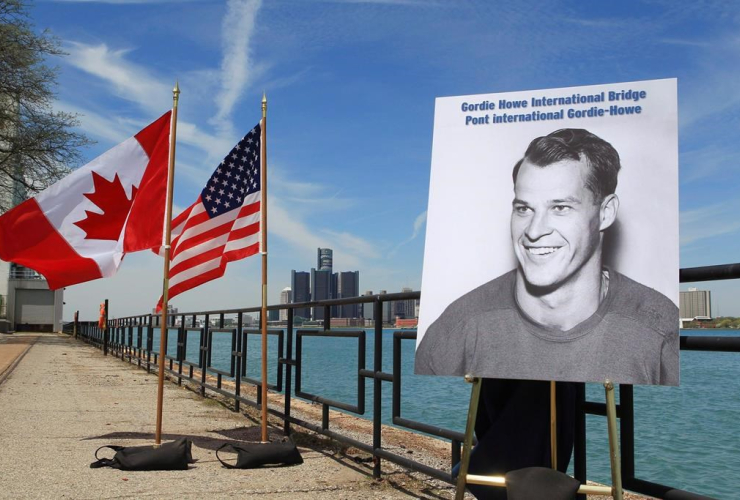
(351, 86)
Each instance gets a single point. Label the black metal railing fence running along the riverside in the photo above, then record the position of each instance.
(132, 339)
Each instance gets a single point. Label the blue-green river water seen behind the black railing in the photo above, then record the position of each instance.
(686, 437)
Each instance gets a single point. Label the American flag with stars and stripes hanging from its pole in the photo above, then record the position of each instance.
(223, 224)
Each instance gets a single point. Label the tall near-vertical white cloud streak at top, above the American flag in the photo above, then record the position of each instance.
(236, 65)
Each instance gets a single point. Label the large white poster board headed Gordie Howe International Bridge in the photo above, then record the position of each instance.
(552, 236)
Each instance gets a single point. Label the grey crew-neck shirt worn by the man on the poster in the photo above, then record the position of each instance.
(632, 338)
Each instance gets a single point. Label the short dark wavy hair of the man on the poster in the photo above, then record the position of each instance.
(576, 144)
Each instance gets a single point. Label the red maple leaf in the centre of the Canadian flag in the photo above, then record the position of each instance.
(110, 197)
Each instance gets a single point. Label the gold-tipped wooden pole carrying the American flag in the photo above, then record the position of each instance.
(263, 314)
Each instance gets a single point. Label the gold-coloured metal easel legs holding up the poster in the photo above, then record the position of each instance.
(611, 414)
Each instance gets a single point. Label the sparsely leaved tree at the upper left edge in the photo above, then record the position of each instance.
(38, 144)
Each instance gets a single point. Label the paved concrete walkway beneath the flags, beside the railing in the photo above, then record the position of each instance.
(64, 399)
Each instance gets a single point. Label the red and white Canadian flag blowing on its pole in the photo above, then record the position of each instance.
(79, 228)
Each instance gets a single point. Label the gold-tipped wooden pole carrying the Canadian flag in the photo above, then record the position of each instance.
(166, 279)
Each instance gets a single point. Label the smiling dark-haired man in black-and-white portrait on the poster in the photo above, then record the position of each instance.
(561, 314)
